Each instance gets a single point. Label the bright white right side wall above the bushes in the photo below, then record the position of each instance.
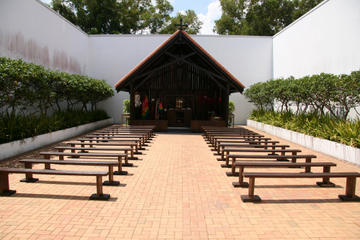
(326, 39)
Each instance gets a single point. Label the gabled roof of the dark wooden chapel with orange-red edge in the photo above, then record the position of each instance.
(216, 68)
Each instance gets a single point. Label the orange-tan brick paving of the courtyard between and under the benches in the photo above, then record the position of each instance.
(179, 191)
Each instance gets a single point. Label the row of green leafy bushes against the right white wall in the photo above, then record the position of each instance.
(324, 93)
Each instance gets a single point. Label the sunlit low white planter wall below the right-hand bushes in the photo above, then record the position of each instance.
(338, 150)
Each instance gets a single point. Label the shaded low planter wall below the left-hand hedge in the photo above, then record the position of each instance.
(14, 148)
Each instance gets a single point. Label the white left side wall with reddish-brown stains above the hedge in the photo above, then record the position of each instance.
(31, 31)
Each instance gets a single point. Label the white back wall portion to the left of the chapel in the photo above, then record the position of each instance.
(113, 56)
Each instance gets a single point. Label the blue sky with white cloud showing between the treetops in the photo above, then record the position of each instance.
(207, 10)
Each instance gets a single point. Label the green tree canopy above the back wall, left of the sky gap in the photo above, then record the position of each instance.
(125, 16)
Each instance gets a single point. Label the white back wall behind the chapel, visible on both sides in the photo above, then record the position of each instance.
(247, 58)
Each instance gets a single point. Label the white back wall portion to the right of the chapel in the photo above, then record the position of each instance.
(249, 58)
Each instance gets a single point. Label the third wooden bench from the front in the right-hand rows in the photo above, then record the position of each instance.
(293, 158)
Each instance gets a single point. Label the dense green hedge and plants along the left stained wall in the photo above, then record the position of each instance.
(29, 93)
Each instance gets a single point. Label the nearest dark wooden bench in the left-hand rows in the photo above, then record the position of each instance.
(5, 188)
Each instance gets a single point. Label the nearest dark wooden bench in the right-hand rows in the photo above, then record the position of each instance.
(349, 191)
